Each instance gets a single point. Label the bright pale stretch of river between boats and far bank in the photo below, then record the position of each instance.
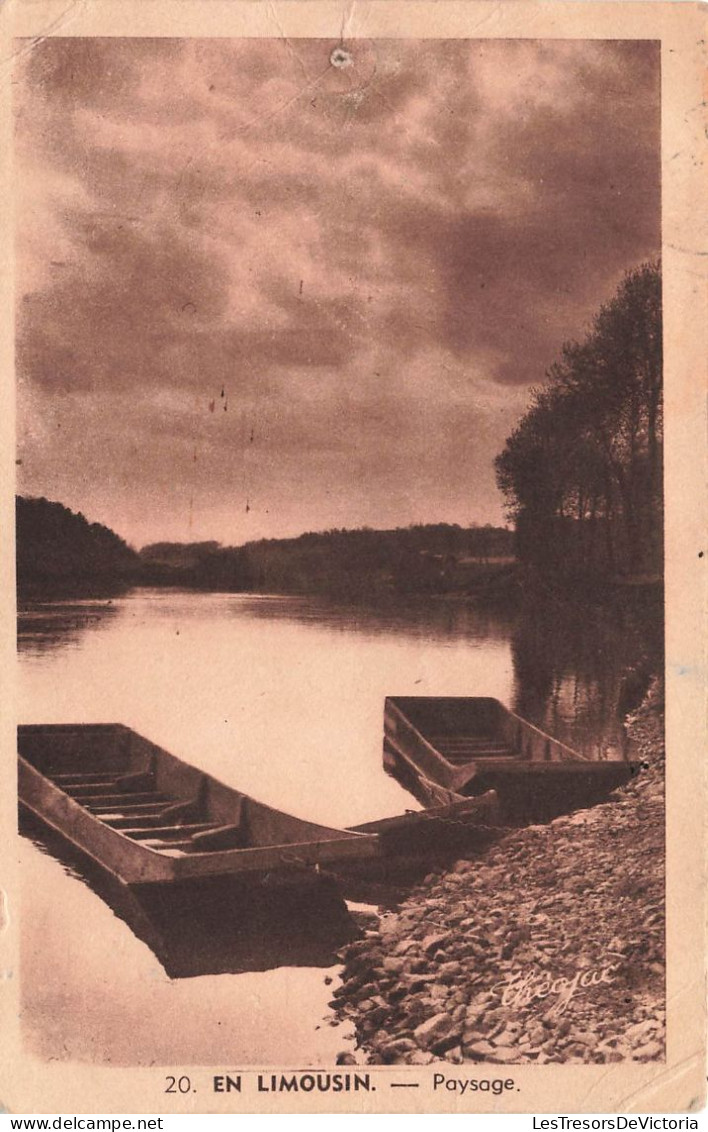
(267, 697)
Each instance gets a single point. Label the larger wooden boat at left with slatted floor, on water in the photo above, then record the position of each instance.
(149, 818)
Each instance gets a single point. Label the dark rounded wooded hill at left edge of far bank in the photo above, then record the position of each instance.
(62, 553)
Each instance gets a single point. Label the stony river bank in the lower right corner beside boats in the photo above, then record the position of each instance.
(548, 948)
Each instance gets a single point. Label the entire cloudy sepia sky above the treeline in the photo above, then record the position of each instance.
(266, 289)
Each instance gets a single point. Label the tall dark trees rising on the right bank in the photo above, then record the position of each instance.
(583, 471)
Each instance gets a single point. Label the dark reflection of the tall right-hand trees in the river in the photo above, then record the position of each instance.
(579, 667)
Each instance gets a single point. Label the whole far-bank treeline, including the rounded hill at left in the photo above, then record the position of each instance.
(59, 552)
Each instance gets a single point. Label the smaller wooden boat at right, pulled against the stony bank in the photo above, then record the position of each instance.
(446, 749)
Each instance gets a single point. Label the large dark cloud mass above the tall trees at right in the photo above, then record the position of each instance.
(518, 280)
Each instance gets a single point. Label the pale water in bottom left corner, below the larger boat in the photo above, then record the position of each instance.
(95, 992)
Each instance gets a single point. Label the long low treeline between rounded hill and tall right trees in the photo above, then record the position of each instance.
(426, 560)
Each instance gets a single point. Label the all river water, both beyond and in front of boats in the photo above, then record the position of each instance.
(282, 698)
